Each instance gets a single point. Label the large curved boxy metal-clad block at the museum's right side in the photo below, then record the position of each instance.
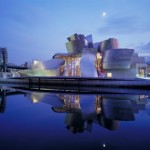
(117, 58)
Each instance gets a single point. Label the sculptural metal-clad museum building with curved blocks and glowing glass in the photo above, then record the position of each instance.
(87, 59)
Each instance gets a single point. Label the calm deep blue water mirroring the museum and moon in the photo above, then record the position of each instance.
(56, 121)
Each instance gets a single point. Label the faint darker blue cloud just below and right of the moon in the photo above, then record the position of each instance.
(123, 25)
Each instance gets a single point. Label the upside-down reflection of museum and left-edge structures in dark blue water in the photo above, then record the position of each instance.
(83, 110)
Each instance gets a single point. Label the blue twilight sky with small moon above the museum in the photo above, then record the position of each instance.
(37, 29)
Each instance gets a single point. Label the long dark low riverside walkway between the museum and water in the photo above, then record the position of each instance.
(77, 81)
